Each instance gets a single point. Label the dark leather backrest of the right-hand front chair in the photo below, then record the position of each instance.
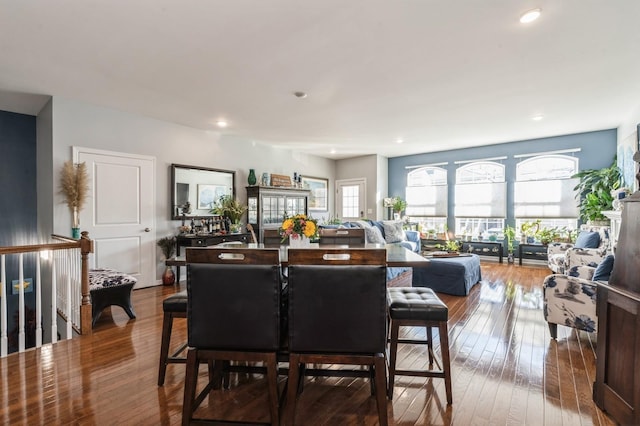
(337, 300)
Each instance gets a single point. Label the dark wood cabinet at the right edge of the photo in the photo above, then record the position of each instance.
(617, 386)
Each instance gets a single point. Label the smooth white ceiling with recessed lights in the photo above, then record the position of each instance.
(439, 74)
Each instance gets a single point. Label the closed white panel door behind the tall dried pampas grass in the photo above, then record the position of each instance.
(120, 215)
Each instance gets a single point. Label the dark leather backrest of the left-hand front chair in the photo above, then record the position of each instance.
(233, 298)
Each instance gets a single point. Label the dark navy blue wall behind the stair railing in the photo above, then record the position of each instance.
(18, 207)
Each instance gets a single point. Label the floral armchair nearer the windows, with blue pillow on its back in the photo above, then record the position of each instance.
(564, 256)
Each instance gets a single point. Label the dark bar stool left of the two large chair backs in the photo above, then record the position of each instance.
(174, 306)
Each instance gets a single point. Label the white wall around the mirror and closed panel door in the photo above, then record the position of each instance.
(76, 123)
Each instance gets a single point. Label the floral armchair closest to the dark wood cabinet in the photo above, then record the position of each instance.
(570, 300)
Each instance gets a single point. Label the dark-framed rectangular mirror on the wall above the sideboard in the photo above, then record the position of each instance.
(194, 190)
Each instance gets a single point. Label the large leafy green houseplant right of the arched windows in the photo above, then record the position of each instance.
(593, 192)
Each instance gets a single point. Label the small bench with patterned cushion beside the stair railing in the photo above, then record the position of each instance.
(109, 287)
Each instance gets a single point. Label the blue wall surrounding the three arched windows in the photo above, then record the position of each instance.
(597, 150)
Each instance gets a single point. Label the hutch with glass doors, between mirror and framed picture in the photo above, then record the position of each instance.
(268, 205)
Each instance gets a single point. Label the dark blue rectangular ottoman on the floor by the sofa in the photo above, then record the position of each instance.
(449, 275)
